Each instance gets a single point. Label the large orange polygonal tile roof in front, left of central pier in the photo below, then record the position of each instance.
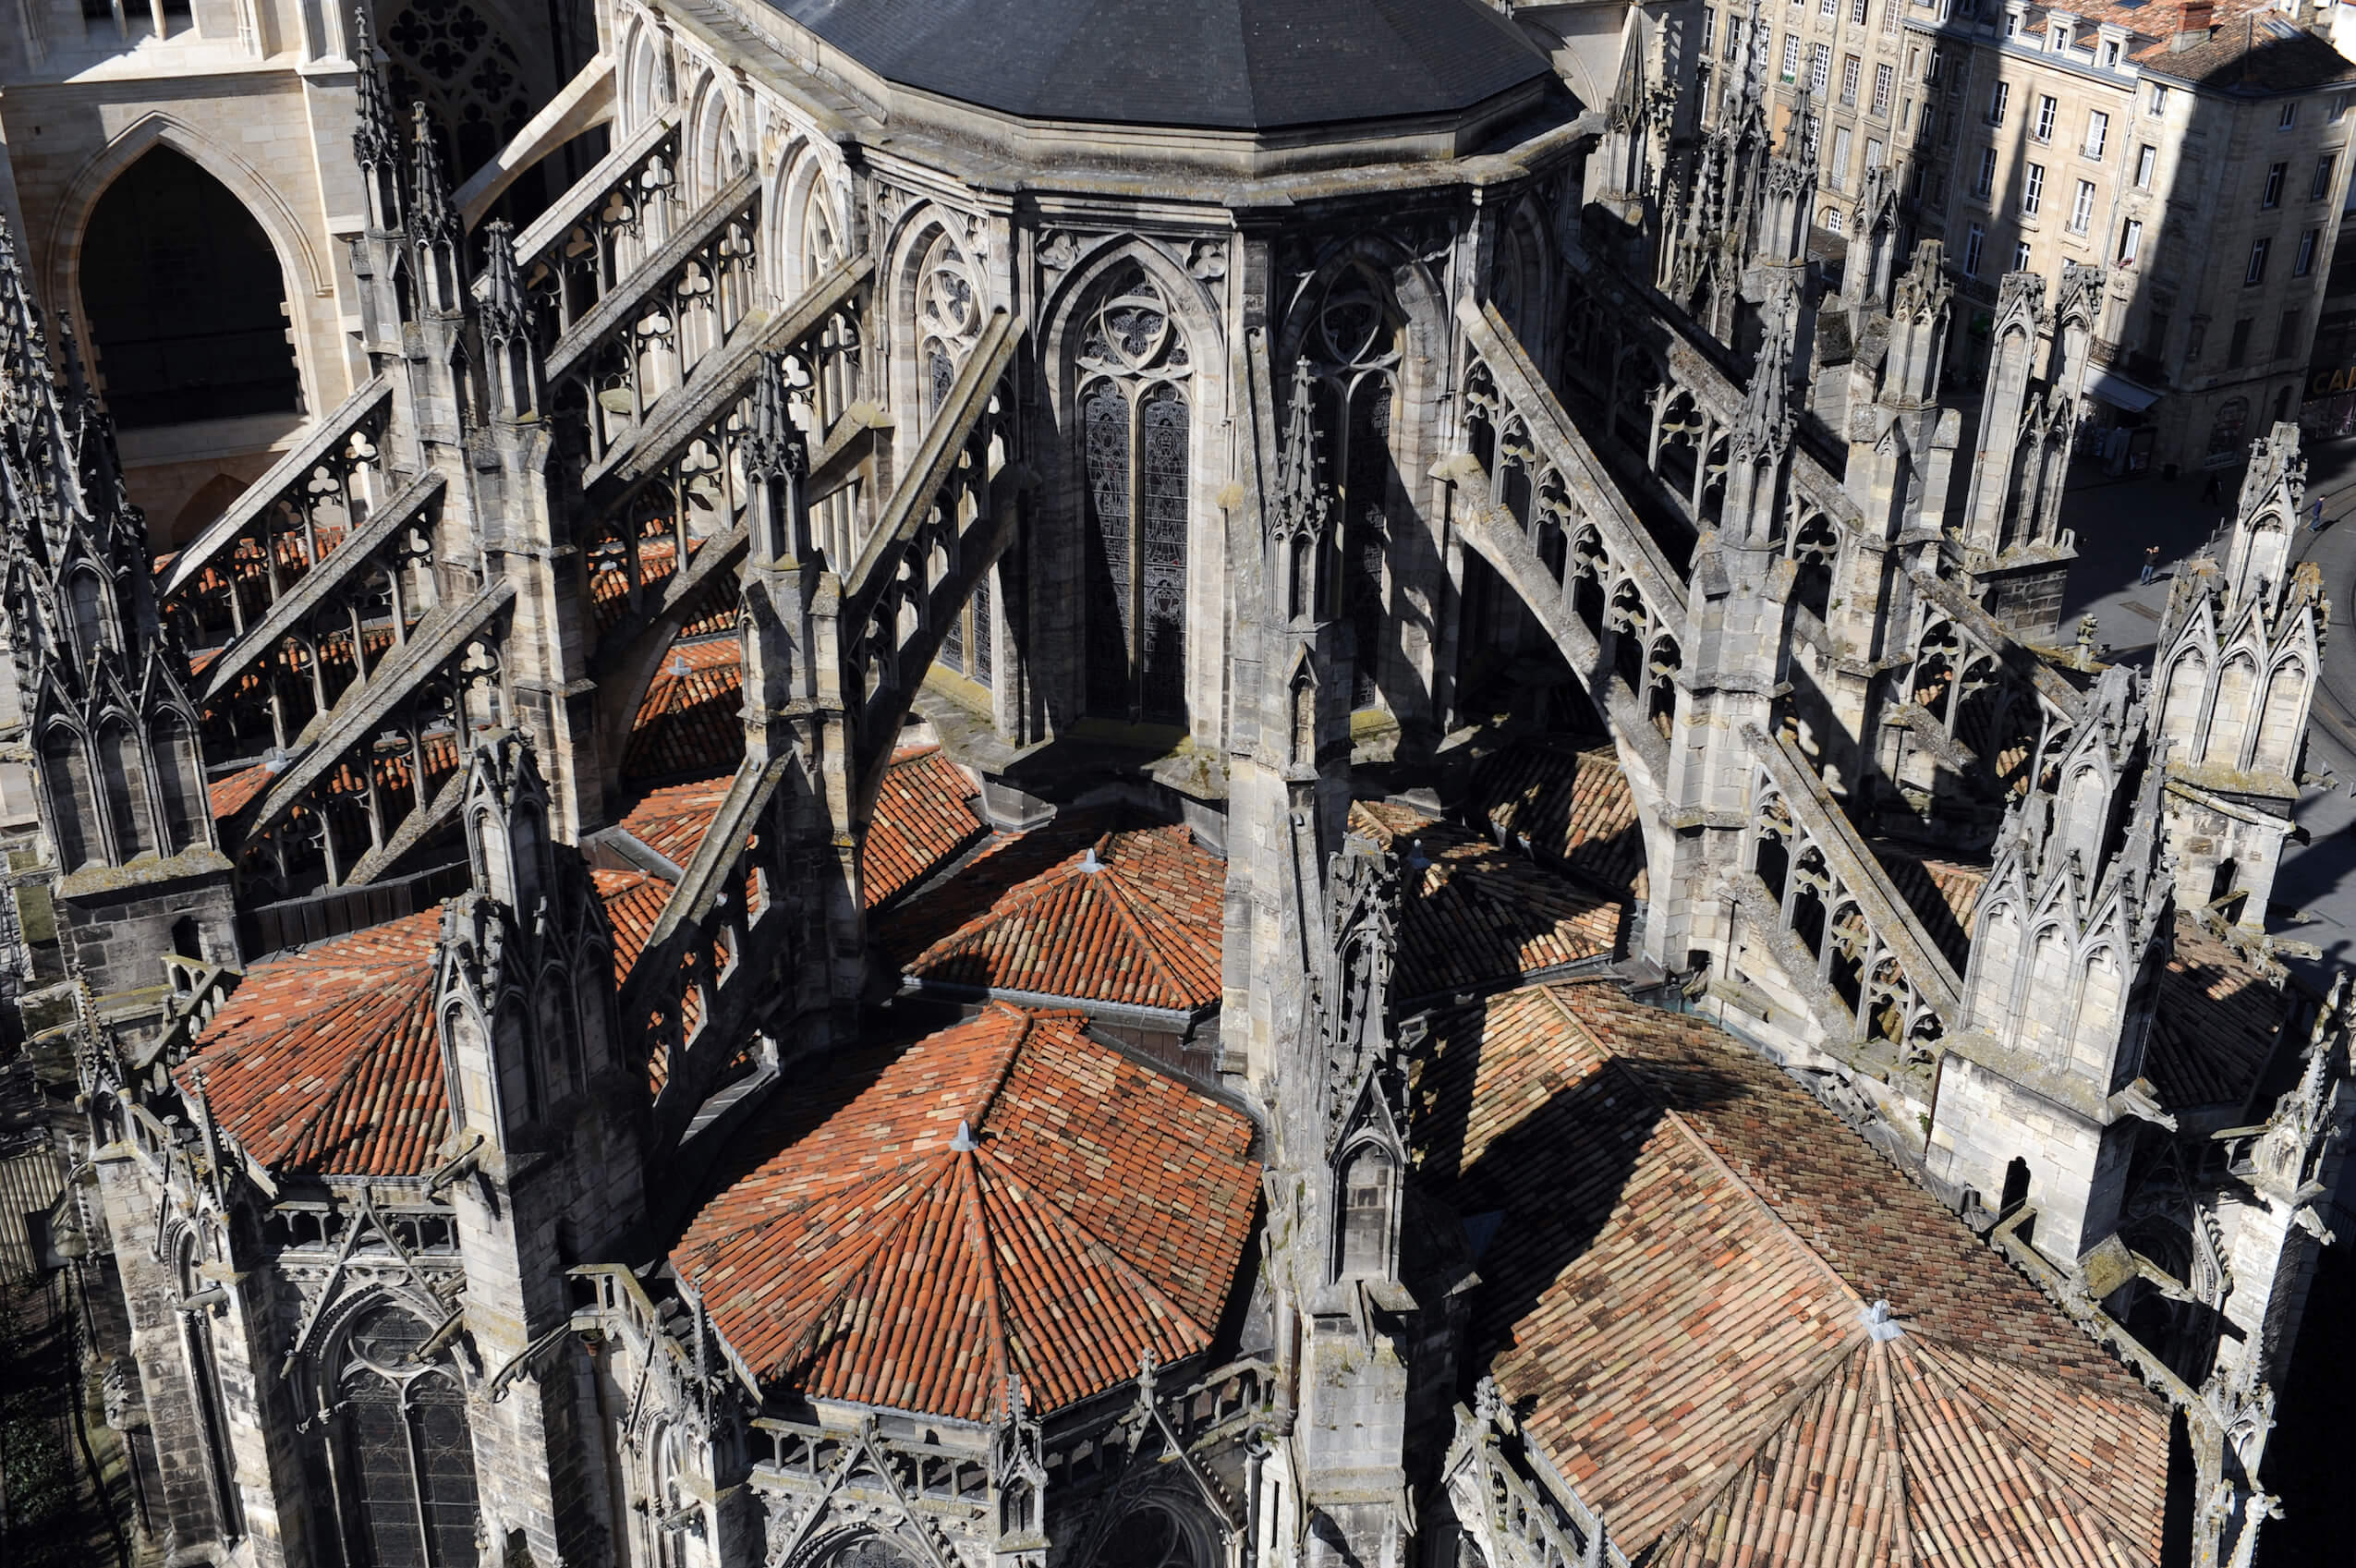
(859, 1256)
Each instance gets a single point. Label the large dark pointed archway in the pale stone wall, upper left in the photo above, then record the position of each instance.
(185, 301)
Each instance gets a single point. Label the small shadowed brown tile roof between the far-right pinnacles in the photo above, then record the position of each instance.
(2216, 1027)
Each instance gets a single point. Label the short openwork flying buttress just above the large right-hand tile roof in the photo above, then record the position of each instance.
(1837, 900)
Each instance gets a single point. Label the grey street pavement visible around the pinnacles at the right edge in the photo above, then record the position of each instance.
(2315, 892)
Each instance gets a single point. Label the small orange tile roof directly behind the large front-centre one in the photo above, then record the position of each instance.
(1144, 928)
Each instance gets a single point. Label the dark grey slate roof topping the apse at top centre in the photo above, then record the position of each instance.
(1224, 65)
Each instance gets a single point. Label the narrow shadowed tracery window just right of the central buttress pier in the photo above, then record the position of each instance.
(1356, 345)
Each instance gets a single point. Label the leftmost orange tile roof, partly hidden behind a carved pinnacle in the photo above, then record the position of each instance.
(324, 1062)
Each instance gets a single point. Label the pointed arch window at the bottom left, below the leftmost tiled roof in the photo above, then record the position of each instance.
(404, 1451)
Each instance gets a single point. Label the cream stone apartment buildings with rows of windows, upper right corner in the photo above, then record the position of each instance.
(2199, 154)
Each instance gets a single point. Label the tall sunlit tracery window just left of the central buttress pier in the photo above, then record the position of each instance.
(1137, 452)
